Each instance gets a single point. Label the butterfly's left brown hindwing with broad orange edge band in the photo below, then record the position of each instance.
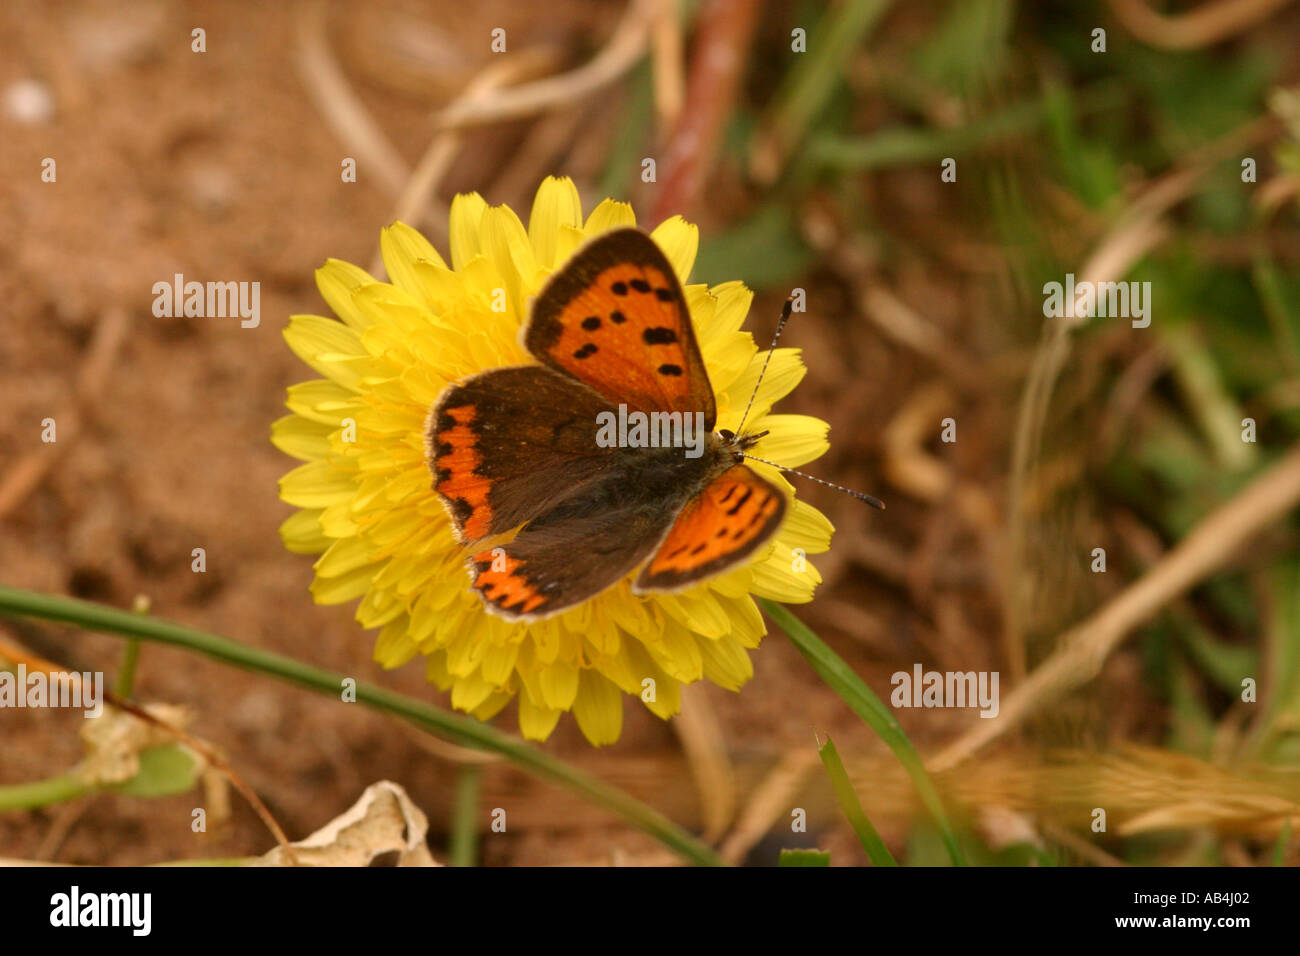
(508, 445)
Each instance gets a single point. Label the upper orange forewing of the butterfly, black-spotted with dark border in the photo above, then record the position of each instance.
(616, 319)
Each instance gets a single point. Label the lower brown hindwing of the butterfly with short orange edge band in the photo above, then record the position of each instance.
(573, 553)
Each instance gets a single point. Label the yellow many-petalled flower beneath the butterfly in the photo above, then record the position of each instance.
(369, 508)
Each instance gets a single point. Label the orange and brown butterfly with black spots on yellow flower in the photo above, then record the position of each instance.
(521, 447)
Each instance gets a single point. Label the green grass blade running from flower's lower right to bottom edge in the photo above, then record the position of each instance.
(852, 690)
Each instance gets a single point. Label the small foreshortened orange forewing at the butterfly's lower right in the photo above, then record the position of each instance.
(721, 527)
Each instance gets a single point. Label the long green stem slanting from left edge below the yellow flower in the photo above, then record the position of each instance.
(463, 730)
